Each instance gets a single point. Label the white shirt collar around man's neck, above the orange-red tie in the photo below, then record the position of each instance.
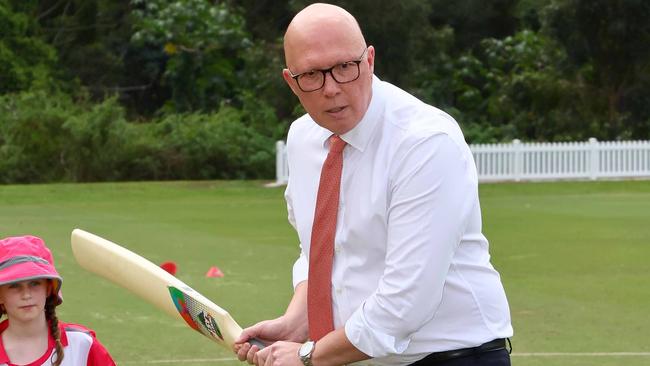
(360, 135)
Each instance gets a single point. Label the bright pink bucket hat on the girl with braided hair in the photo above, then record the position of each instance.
(25, 258)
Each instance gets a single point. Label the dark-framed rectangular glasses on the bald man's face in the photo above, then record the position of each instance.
(342, 73)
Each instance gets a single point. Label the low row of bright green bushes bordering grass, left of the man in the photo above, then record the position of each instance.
(52, 138)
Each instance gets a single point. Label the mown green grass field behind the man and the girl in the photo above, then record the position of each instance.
(574, 258)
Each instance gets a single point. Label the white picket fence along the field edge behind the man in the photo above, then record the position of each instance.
(519, 161)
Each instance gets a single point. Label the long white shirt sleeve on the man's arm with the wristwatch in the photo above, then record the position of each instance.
(432, 193)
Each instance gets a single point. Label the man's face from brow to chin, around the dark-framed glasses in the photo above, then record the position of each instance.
(336, 107)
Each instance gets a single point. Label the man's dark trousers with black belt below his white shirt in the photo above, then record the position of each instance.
(493, 353)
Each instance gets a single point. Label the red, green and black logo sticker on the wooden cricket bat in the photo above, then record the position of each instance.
(195, 314)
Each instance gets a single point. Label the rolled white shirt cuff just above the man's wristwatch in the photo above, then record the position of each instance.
(370, 340)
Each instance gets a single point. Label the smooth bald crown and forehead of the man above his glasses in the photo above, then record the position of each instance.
(321, 25)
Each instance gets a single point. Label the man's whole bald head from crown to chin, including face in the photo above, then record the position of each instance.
(326, 39)
